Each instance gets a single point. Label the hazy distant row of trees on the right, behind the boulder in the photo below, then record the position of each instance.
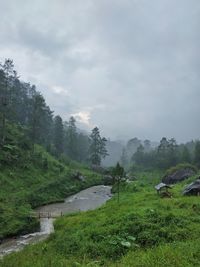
(165, 155)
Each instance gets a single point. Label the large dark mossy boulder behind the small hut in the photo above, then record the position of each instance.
(178, 176)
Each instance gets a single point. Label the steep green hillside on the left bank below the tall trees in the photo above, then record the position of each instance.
(30, 179)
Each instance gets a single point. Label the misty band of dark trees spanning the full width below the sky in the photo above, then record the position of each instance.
(23, 105)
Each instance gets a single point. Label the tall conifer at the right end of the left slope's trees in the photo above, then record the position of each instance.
(97, 149)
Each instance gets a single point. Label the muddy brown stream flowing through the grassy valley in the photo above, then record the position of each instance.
(87, 199)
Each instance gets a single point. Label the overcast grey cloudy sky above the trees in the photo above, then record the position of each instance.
(130, 67)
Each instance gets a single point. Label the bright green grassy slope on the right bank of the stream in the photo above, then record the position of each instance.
(142, 230)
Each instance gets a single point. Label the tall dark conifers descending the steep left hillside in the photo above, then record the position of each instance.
(22, 104)
